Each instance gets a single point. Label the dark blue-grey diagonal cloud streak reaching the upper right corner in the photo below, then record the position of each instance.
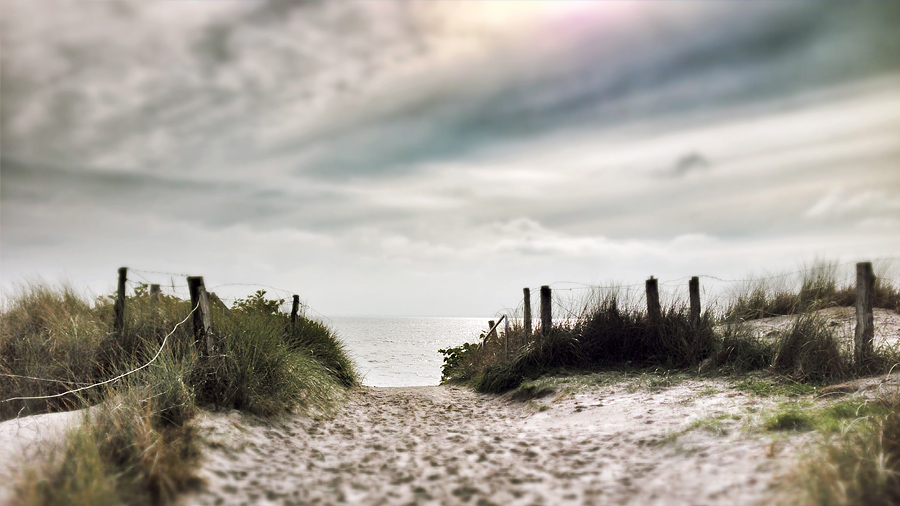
(742, 56)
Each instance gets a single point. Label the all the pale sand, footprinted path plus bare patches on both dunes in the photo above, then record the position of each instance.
(609, 438)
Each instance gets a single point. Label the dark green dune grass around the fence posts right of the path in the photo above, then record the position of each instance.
(610, 332)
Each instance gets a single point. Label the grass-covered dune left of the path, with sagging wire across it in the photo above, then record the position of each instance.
(136, 445)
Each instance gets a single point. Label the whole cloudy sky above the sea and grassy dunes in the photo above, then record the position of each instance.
(434, 158)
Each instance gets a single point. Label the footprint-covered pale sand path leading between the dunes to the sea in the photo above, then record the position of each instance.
(448, 445)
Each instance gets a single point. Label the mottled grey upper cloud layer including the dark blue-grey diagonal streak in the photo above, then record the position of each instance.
(237, 81)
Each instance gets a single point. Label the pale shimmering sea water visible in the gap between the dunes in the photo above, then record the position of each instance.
(403, 351)
